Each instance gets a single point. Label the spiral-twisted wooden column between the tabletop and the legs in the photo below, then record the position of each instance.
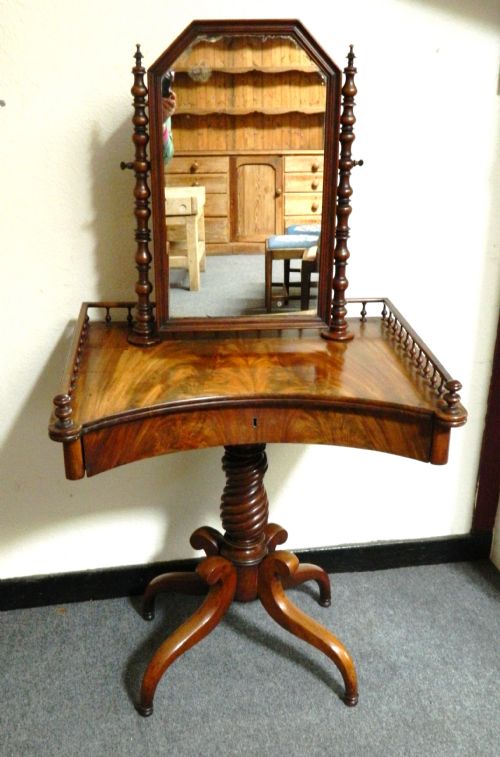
(244, 512)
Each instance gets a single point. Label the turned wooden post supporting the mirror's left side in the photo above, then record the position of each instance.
(144, 328)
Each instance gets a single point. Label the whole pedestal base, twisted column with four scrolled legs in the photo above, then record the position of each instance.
(242, 564)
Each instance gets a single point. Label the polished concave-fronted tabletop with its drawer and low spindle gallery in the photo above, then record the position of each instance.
(383, 390)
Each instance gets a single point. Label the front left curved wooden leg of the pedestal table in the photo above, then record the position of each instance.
(220, 575)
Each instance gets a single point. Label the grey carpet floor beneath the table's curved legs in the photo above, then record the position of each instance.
(425, 642)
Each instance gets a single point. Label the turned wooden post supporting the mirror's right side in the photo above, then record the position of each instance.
(338, 330)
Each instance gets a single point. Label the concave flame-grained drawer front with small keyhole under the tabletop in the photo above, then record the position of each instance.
(116, 445)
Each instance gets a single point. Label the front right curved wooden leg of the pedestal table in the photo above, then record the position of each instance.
(282, 566)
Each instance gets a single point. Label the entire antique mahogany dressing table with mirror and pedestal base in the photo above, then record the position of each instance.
(141, 381)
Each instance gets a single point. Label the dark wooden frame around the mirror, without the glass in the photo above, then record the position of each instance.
(333, 78)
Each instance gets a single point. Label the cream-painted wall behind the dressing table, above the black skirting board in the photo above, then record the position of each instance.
(423, 233)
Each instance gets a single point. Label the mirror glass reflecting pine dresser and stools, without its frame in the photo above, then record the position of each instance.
(243, 189)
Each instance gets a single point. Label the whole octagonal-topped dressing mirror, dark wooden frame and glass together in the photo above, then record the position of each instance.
(244, 202)
